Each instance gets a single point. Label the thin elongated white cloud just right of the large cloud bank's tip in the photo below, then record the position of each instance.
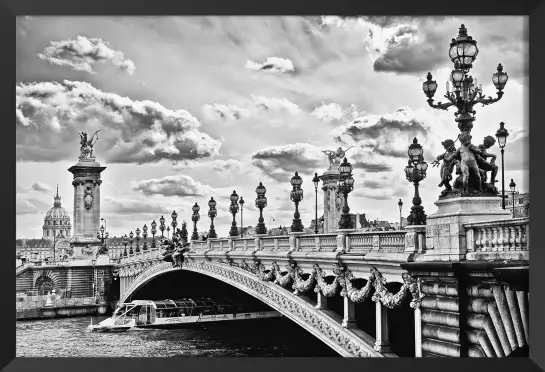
(250, 108)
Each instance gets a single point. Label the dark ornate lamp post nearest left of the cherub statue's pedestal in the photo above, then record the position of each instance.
(415, 172)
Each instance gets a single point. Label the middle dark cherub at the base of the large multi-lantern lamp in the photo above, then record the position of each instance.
(467, 156)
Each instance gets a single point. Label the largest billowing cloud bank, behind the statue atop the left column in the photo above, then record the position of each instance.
(49, 116)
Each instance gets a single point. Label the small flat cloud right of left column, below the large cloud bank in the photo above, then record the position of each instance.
(179, 185)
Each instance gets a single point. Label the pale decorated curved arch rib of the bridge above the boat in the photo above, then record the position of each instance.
(331, 332)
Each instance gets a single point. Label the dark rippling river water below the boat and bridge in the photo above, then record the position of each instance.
(67, 337)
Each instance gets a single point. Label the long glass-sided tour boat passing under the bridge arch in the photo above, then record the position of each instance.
(175, 313)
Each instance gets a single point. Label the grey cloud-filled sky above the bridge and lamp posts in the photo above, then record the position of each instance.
(195, 107)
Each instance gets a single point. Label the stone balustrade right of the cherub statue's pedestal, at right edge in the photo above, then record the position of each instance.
(498, 239)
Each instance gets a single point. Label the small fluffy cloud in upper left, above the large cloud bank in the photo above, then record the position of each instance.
(82, 53)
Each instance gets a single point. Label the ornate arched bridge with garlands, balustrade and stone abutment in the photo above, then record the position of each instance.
(475, 306)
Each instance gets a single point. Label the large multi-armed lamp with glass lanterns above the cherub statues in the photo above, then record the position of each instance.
(465, 93)
